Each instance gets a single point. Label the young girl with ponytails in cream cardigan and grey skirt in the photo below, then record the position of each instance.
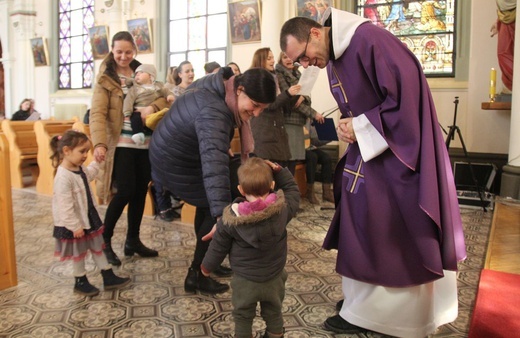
(77, 225)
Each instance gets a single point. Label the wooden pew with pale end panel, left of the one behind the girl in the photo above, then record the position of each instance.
(23, 150)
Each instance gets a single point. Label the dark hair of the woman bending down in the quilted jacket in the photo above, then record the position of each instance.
(258, 83)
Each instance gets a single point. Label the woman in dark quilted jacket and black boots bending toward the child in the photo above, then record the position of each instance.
(190, 149)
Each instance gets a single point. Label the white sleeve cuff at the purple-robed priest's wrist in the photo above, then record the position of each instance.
(371, 143)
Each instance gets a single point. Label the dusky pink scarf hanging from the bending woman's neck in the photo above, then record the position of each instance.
(247, 143)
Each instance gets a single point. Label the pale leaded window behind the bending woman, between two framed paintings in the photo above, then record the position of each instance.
(197, 33)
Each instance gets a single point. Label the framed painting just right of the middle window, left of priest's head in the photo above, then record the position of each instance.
(244, 21)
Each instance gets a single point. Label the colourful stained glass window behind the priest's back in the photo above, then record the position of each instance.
(426, 27)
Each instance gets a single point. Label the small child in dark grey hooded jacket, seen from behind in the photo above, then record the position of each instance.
(253, 232)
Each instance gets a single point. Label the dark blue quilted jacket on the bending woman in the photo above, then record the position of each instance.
(189, 147)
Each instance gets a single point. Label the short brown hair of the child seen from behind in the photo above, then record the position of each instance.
(255, 177)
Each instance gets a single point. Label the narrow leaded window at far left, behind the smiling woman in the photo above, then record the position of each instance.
(76, 63)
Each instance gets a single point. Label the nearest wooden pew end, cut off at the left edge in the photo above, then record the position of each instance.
(8, 274)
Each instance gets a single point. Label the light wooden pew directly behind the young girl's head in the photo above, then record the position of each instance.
(45, 130)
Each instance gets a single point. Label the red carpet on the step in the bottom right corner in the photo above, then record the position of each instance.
(497, 309)
